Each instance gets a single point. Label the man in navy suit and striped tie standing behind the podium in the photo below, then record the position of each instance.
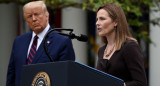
(60, 47)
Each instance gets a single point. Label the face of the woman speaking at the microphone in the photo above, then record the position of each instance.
(105, 25)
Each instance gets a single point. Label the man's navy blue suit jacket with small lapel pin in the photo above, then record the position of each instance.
(60, 48)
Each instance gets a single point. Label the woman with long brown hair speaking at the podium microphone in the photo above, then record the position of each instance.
(121, 55)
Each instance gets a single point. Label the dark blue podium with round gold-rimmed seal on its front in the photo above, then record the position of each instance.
(66, 73)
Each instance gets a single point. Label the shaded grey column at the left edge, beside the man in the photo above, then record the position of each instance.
(8, 30)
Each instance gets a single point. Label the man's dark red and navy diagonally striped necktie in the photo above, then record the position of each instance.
(33, 50)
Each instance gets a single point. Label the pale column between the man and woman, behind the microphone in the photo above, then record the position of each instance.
(76, 19)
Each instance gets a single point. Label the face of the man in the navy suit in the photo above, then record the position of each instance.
(36, 18)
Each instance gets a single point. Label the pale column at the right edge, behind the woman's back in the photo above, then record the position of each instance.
(154, 50)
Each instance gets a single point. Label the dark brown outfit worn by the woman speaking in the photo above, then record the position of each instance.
(125, 63)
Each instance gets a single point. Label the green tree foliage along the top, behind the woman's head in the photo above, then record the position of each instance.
(137, 11)
